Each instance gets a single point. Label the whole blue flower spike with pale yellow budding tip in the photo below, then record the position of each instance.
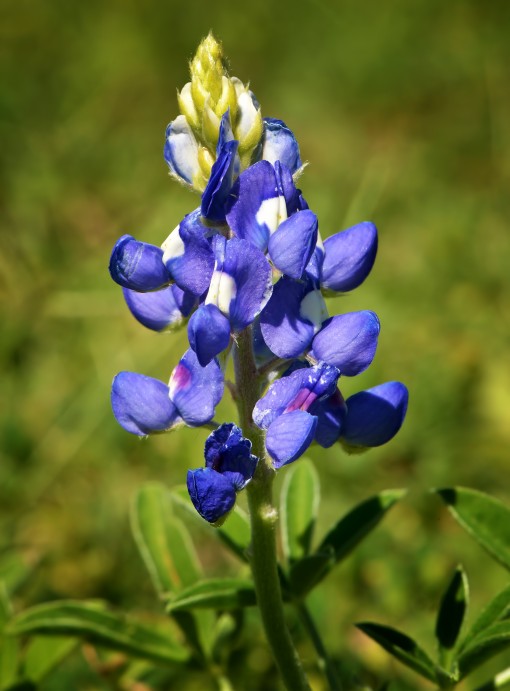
(250, 257)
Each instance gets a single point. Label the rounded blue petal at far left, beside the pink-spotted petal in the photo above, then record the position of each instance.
(141, 404)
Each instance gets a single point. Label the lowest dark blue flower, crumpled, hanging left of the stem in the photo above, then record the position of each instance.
(229, 466)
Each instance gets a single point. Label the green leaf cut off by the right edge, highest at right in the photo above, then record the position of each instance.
(485, 518)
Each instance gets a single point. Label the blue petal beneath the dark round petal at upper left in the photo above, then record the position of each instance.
(157, 311)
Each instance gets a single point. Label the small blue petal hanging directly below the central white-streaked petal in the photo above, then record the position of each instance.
(208, 333)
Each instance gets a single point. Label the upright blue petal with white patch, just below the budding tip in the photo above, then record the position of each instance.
(253, 209)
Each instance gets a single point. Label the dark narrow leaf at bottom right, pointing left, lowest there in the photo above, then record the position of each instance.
(402, 647)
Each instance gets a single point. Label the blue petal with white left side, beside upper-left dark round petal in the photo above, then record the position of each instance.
(188, 254)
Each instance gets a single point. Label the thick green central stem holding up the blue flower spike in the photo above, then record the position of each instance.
(264, 516)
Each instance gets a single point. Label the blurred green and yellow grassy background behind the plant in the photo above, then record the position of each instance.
(402, 108)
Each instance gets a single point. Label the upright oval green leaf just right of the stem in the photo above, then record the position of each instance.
(299, 505)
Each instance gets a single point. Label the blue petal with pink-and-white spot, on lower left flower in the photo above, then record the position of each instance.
(196, 390)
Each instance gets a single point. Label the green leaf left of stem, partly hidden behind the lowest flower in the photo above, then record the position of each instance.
(235, 533)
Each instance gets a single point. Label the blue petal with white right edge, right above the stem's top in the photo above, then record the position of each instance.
(291, 318)
